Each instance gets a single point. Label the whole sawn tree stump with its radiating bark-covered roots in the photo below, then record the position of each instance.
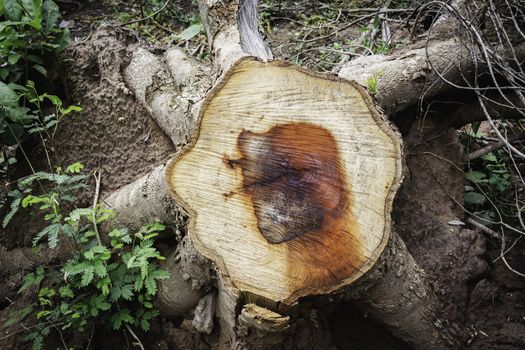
(246, 285)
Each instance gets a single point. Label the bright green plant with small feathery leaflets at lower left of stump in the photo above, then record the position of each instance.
(111, 283)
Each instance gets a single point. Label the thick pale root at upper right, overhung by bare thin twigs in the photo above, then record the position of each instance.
(446, 63)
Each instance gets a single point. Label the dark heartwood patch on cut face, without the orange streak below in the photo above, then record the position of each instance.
(294, 176)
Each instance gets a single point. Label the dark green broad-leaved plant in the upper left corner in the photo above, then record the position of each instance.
(29, 36)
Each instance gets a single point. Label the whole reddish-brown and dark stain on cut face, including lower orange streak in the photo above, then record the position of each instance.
(301, 197)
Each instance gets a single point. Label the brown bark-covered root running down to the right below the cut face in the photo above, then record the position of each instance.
(395, 292)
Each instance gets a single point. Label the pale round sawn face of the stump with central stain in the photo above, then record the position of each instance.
(289, 180)
